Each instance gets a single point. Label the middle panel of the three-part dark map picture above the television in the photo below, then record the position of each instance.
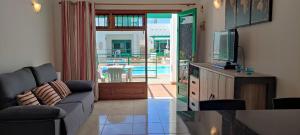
(243, 13)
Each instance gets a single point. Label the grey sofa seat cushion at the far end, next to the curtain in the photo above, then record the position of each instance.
(86, 98)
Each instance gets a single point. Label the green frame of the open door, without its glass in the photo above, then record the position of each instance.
(192, 12)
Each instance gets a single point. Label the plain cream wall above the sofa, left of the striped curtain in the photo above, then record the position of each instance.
(26, 38)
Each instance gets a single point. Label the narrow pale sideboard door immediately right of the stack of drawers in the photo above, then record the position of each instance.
(203, 85)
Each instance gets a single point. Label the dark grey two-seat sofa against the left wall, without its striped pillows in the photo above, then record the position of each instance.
(65, 118)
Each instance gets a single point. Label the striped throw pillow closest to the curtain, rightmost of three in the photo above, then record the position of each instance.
(61, 88)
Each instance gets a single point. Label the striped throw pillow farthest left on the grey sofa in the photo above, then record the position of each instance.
(27, 98)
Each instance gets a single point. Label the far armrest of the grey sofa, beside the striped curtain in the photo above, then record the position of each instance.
(80, 85)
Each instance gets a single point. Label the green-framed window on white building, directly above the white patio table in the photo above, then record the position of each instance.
(121, 47)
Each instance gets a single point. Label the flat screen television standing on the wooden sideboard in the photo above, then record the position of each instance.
(225, 46)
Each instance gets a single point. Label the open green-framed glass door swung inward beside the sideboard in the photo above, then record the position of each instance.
(187, 43)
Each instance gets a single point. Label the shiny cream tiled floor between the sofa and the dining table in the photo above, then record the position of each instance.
(134, 117)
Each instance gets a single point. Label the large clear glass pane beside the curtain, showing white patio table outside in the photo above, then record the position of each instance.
(121, 56)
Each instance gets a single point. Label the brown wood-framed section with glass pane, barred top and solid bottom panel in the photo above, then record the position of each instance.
(121, 54)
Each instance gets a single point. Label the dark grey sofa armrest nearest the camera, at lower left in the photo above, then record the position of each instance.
(38, 112)
